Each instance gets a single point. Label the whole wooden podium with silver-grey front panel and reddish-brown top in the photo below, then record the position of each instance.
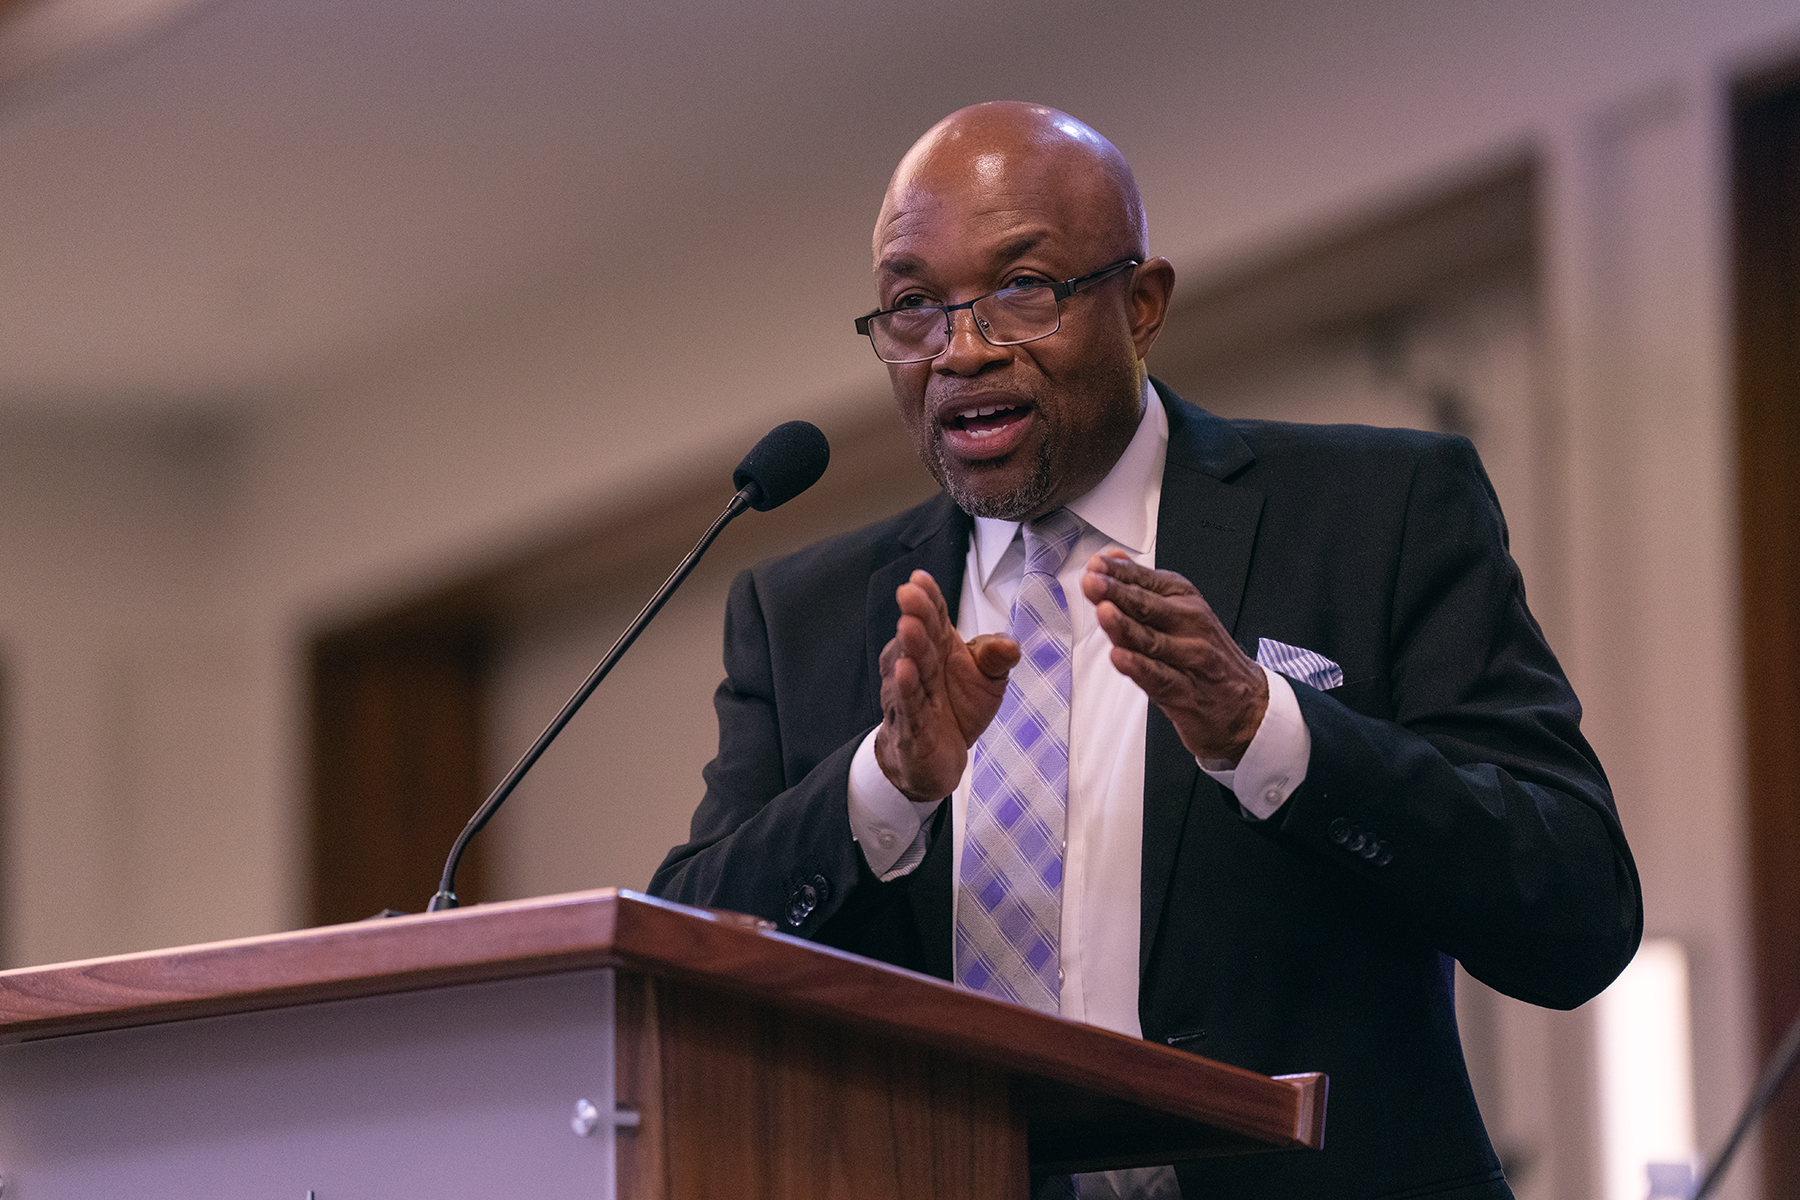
(595, 1044)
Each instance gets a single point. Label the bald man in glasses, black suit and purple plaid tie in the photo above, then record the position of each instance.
(1284, 739)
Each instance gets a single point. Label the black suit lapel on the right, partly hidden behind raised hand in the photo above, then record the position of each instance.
(1205, 532)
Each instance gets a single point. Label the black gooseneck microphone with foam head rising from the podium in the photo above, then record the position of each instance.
(786, 463)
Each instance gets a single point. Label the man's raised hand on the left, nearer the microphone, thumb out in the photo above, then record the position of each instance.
(939, 694)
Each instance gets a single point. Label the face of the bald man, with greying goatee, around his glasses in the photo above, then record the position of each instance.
(1012, 431)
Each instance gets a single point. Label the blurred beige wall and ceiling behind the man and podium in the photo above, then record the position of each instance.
(393, 323)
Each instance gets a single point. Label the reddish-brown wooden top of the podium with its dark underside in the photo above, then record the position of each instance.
(1083, 1088)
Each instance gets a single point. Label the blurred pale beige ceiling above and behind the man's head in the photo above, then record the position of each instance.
(220, 202)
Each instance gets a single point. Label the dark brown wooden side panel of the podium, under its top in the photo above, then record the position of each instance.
(894, 1120)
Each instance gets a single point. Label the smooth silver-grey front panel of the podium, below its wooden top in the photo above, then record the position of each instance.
(458, 1091)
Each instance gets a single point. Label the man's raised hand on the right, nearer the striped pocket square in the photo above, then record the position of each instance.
(1169, 641)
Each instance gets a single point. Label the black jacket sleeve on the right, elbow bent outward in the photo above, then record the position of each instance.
(1468, 796)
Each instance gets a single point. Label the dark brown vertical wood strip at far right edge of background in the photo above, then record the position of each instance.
(1767, 210)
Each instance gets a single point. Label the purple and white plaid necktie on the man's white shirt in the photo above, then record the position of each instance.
(1009, 913)
